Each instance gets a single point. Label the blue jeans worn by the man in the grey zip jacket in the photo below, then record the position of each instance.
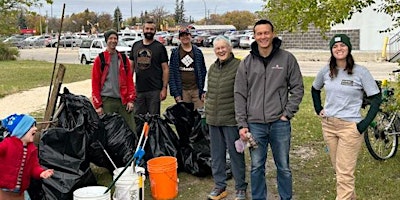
(277, 134)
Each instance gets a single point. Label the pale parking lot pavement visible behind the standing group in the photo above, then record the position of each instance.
(310, 61)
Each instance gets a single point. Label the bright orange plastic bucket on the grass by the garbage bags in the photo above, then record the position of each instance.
(163, 177)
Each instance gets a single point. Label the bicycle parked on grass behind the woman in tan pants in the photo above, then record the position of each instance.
(381, 137)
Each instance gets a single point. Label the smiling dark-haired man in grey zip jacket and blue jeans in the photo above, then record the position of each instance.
(268, 90)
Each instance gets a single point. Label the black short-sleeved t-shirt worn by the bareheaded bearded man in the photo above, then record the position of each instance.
(148, 69)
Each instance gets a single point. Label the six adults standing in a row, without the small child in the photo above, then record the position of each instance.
(259, 95)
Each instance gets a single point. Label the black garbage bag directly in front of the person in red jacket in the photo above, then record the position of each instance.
(121, 141)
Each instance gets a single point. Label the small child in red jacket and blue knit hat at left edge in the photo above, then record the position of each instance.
(19, 157)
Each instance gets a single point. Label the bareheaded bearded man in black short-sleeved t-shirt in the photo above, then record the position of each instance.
(149, 60)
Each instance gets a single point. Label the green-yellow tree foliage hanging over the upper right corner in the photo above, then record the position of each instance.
(298, 15)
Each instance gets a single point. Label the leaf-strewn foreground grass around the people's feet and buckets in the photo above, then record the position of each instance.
(313, 175)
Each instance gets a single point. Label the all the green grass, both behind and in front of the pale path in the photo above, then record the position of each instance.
(313, 175)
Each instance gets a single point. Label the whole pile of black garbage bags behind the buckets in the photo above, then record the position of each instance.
(82, 137)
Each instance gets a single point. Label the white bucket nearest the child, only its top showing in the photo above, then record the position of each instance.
(92, 193)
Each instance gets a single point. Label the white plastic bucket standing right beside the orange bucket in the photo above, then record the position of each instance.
(127, 186)
